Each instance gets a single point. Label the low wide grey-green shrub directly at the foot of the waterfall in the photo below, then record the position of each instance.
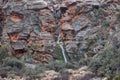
(56, 65)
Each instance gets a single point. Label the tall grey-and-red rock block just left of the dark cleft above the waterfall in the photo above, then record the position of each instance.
(47, 21)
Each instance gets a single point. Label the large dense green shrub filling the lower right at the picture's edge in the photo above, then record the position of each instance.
(107, 62)
